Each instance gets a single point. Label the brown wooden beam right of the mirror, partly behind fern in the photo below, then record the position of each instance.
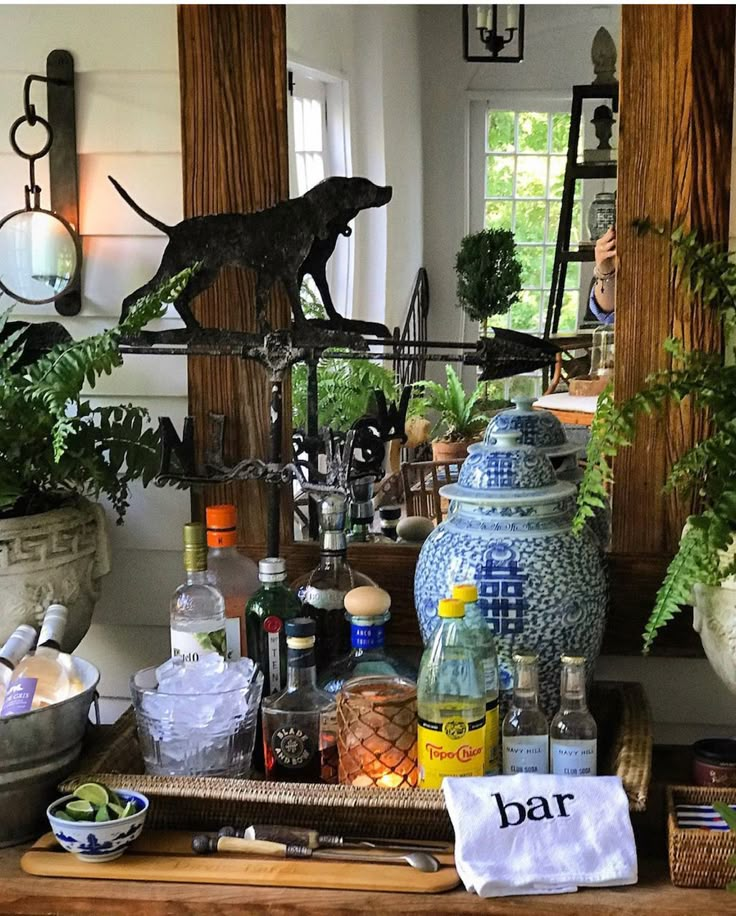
(677, 67)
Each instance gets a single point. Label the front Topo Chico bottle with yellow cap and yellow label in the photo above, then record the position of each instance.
(451, 702)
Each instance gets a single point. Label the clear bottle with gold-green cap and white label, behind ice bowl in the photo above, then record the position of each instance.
(197, 607)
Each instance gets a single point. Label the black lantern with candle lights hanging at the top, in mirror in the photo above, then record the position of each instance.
(495, 34)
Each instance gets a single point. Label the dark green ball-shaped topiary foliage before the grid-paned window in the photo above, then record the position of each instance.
(488, 274)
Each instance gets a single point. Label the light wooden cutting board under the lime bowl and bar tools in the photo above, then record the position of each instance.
(161, 855)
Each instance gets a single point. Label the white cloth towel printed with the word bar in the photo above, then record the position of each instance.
(531, 834)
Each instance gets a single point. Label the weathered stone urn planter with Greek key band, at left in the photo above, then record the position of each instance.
(54, 556)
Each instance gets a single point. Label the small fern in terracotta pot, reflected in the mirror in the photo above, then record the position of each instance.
(460, 419)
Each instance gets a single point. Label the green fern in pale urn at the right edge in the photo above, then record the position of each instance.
(703, 570)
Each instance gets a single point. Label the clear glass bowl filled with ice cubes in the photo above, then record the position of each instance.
(198, 718)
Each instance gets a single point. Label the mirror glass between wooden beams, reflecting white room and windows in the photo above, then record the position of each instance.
(487, 213)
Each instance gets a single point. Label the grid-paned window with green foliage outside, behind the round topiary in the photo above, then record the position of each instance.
(524, 172)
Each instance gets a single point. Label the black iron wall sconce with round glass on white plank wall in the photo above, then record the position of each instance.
(40, 249)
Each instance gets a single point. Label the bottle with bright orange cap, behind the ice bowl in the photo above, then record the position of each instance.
(234, 575)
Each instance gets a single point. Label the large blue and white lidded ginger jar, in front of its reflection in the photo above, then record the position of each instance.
(508, 529)
